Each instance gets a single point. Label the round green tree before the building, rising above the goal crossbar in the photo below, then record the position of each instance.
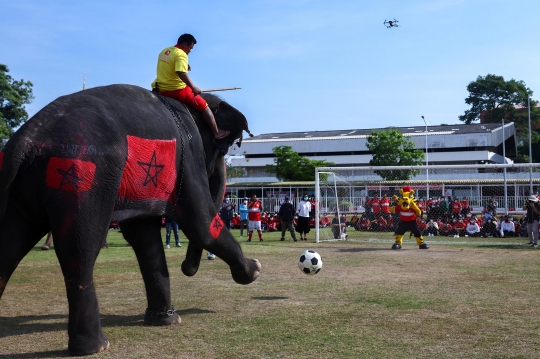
(391, 148)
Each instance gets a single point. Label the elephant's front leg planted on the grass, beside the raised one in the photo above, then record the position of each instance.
(144, 235)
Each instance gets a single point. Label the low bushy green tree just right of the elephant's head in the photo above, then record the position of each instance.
(290, 166)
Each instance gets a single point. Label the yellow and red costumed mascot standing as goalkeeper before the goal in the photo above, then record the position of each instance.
(408, 212)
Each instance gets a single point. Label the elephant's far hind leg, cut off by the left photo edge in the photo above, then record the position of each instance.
(17, 237)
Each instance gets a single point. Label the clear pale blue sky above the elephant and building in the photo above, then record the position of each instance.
(302, 65)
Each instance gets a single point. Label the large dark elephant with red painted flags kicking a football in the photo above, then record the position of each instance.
(125, 154)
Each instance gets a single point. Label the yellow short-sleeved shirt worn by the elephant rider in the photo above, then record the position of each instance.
(170, 60)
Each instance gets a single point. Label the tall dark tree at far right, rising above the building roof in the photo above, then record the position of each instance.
(493, 99)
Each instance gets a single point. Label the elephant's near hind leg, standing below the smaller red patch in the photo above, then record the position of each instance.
(78, 237)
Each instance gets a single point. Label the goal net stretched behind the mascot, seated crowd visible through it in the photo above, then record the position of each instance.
(356, 202)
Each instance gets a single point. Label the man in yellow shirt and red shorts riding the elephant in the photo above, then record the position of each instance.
(173, 80)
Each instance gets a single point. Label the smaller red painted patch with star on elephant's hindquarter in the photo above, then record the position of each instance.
(70, 174)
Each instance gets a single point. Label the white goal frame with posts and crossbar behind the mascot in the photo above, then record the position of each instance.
(332, 170)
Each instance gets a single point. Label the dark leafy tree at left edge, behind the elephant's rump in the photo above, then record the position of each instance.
(13, 96)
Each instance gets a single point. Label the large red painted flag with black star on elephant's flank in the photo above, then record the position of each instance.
(150, 171)
